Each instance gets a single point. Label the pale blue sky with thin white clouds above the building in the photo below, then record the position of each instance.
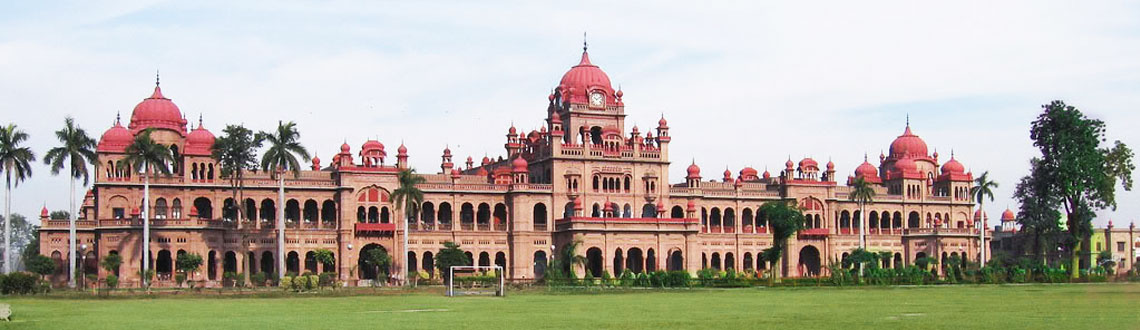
(742, 83)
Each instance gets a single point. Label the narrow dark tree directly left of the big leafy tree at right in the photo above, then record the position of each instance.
(1038, 214)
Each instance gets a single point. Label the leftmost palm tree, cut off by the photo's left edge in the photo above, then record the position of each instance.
(15, 162)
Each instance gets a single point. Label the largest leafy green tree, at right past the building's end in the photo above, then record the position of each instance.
(1080, 173)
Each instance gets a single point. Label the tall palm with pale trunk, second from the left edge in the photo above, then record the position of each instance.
(77, 150)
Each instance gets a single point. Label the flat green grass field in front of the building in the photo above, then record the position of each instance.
(1035, 307)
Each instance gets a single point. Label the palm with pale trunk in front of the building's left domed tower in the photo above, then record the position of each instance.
(144, 154)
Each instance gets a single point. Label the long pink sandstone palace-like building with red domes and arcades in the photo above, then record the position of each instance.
(582, 178)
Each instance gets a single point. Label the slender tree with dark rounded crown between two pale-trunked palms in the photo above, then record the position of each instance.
(237, 154)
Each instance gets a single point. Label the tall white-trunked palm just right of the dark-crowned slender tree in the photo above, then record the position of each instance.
(284, 148)
